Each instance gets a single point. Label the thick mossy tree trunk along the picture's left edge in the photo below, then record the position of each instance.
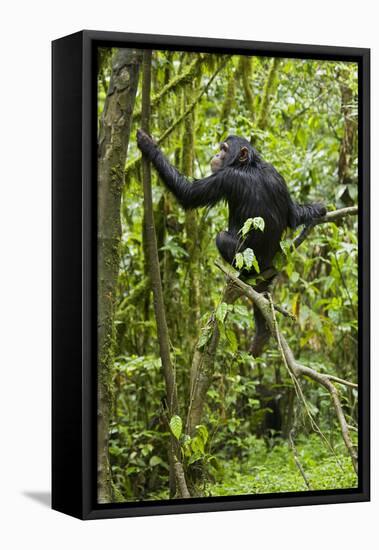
(112, 149)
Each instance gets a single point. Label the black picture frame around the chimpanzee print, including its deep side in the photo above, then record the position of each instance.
(74, 129)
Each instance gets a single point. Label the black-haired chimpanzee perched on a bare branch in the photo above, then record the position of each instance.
(252, 188)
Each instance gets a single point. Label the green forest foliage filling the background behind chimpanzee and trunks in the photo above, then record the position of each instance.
(241, 445)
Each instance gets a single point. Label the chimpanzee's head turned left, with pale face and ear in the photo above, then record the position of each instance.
(234, 151)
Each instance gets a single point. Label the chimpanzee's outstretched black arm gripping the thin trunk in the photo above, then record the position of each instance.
(204, 192)
